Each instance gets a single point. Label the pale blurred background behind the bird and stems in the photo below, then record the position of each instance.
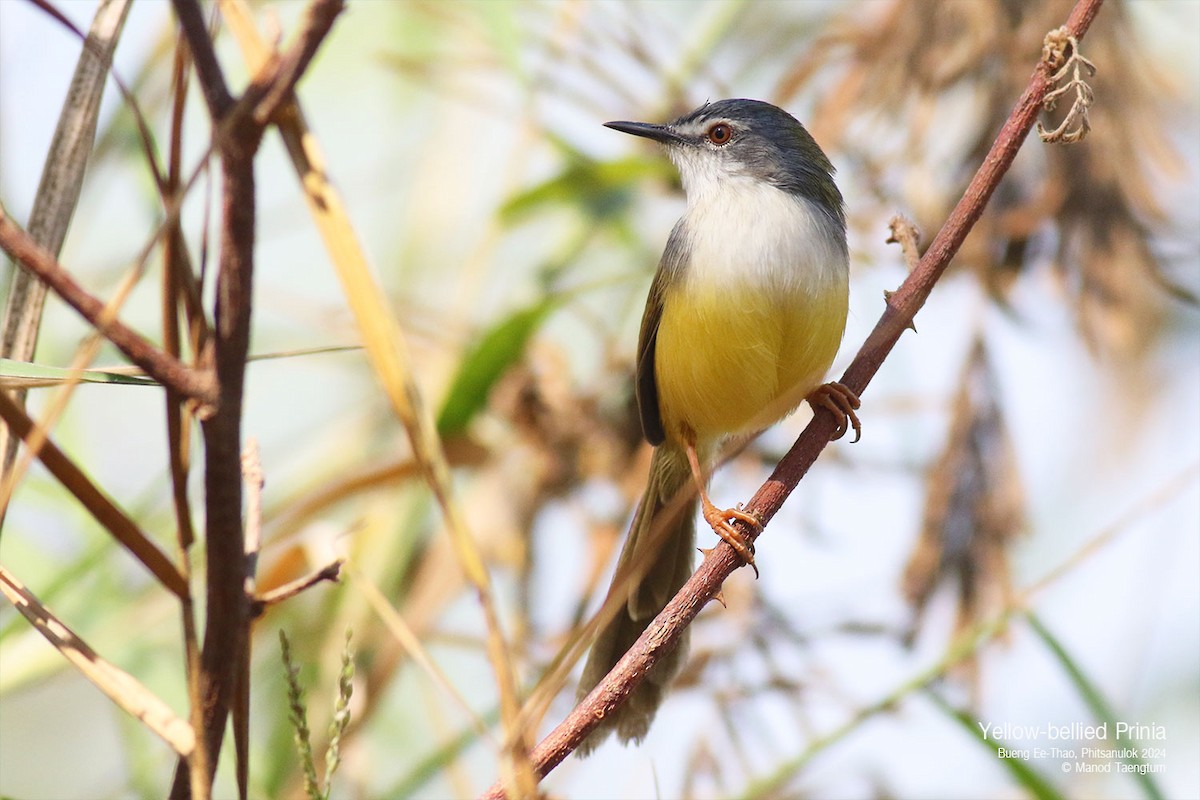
(1016, 542)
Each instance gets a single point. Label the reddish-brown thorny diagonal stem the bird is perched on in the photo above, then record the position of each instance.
(663, 634)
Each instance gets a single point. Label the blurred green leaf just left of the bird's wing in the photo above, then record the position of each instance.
(484, 365)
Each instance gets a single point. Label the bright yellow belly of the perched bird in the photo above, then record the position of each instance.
(734, 362)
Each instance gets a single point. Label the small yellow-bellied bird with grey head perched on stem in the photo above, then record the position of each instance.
(743, 321)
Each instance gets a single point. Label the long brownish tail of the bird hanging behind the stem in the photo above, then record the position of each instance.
(655, 563)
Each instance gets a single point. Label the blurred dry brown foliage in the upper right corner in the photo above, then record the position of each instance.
(943, 77)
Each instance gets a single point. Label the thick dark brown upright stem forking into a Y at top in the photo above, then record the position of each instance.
(238, 134)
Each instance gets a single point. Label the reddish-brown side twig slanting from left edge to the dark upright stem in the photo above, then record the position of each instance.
(166, 370)
